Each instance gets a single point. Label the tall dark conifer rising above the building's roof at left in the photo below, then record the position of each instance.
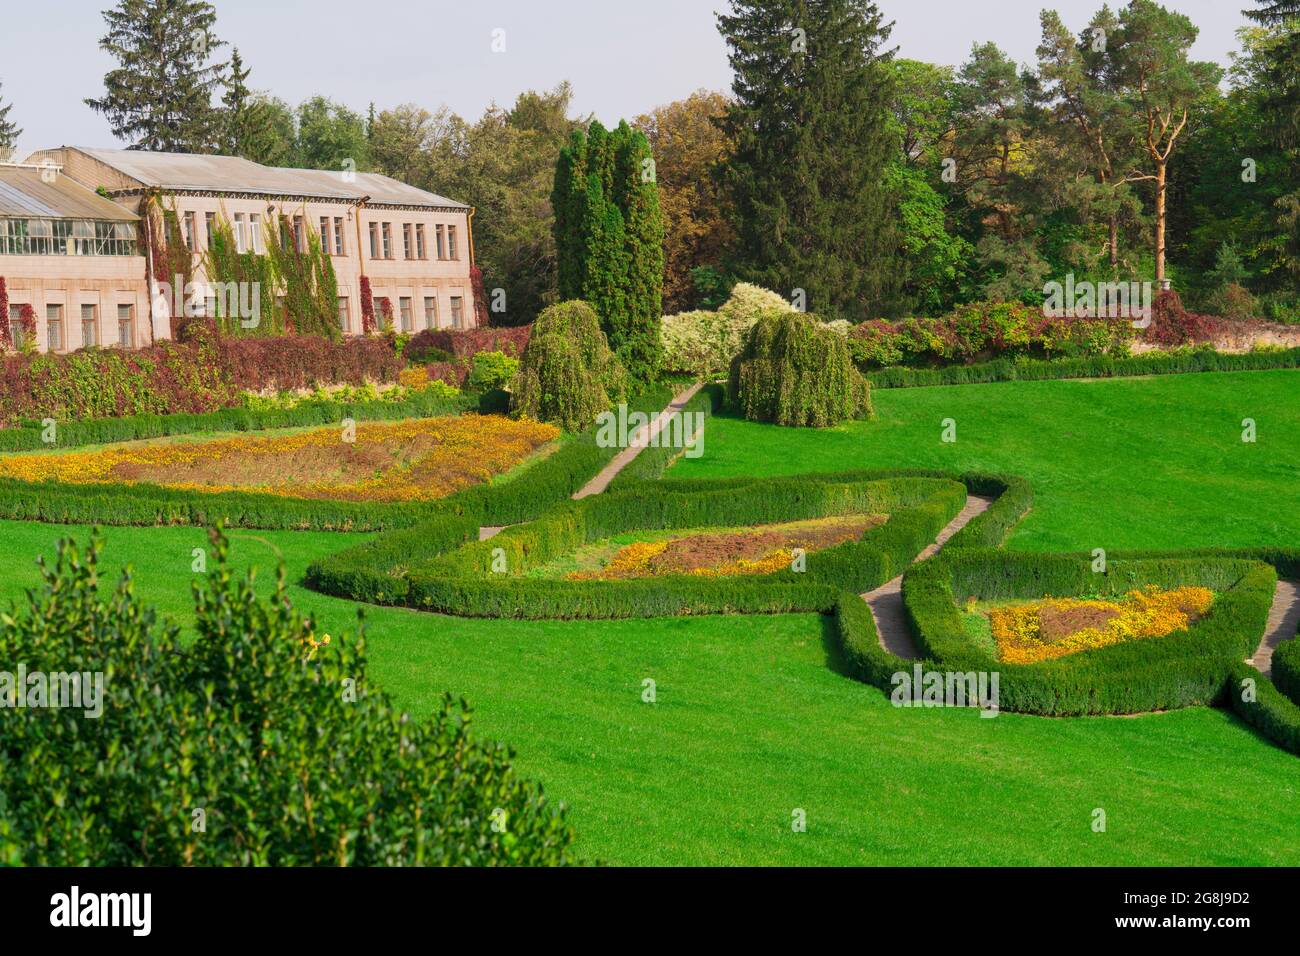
(159, 98)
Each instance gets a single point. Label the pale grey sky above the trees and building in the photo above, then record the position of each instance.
(623, 57)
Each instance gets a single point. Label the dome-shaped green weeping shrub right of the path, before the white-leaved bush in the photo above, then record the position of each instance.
(795, 373)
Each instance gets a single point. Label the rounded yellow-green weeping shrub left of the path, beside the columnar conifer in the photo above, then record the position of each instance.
(569, 375)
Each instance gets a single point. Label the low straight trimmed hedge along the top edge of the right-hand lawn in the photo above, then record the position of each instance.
(1095, 367)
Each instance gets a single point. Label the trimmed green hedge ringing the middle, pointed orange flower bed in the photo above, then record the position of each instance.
(462, 582)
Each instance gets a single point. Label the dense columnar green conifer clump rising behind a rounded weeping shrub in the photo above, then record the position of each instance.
(609, 237)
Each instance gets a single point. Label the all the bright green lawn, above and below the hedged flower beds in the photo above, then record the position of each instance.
(753, 720)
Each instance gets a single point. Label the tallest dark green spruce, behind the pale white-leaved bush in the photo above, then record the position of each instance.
(811, 120)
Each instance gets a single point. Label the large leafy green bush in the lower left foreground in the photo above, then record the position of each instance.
(262, 724)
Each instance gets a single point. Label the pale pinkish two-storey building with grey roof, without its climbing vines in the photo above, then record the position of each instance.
(414, 248)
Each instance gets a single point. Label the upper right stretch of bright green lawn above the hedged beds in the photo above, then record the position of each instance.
(1120, 464)
